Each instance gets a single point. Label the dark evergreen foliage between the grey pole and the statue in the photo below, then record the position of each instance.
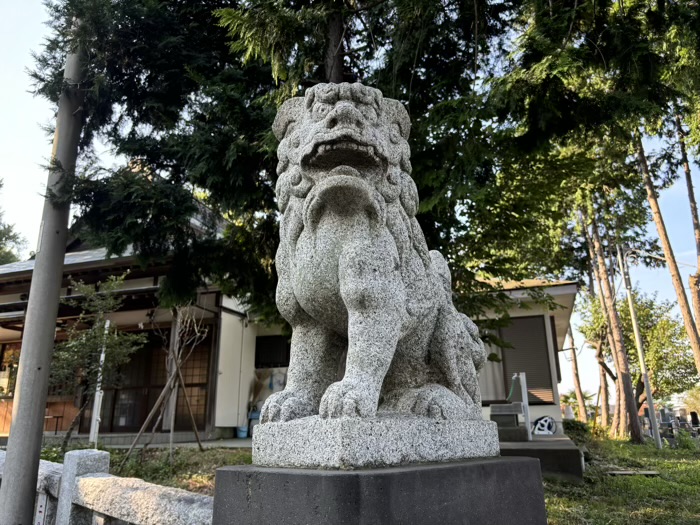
(193, 129)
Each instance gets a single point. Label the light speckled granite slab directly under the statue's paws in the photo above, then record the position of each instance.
(385, 440)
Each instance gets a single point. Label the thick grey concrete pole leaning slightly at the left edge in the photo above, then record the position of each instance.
(18, 490)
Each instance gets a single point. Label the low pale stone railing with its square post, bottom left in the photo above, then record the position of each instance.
(81, 491)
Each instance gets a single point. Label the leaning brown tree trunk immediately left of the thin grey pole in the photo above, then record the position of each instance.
(626, 389)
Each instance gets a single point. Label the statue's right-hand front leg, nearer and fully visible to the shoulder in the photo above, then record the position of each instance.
(373, 292)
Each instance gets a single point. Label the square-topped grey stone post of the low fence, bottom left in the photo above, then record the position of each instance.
(78, 463)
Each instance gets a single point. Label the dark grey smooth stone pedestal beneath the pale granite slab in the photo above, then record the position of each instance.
(493, 491)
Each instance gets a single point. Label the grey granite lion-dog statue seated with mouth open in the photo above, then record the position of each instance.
(355, 274)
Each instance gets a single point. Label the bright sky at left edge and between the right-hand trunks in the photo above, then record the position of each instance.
(25, 147)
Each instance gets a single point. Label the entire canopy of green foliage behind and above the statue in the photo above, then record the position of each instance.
(522, 114)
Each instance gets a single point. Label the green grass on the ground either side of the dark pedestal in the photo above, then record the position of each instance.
(672, 498)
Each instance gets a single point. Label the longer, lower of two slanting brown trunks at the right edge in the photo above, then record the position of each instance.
(690, 327)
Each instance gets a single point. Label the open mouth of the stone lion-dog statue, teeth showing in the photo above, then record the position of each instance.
(344, 150)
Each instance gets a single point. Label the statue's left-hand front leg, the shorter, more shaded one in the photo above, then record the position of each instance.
(313, 365)
